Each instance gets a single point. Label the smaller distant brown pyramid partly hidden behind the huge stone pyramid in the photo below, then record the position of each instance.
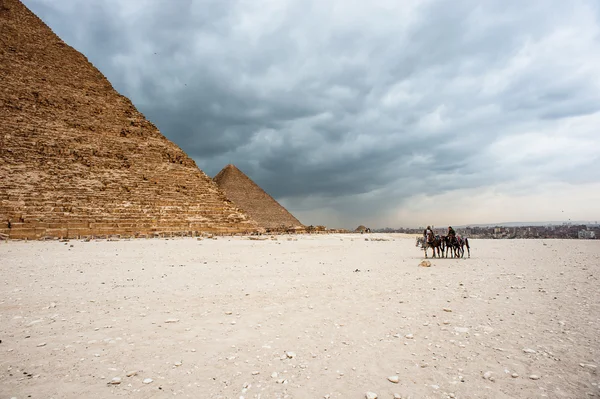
(253, 200)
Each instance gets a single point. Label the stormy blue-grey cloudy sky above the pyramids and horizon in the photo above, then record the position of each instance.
(382, 113)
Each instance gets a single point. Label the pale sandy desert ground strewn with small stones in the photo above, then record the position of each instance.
(329, 316)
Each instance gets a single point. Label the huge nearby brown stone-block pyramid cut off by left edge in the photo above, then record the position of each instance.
(78, 159)
